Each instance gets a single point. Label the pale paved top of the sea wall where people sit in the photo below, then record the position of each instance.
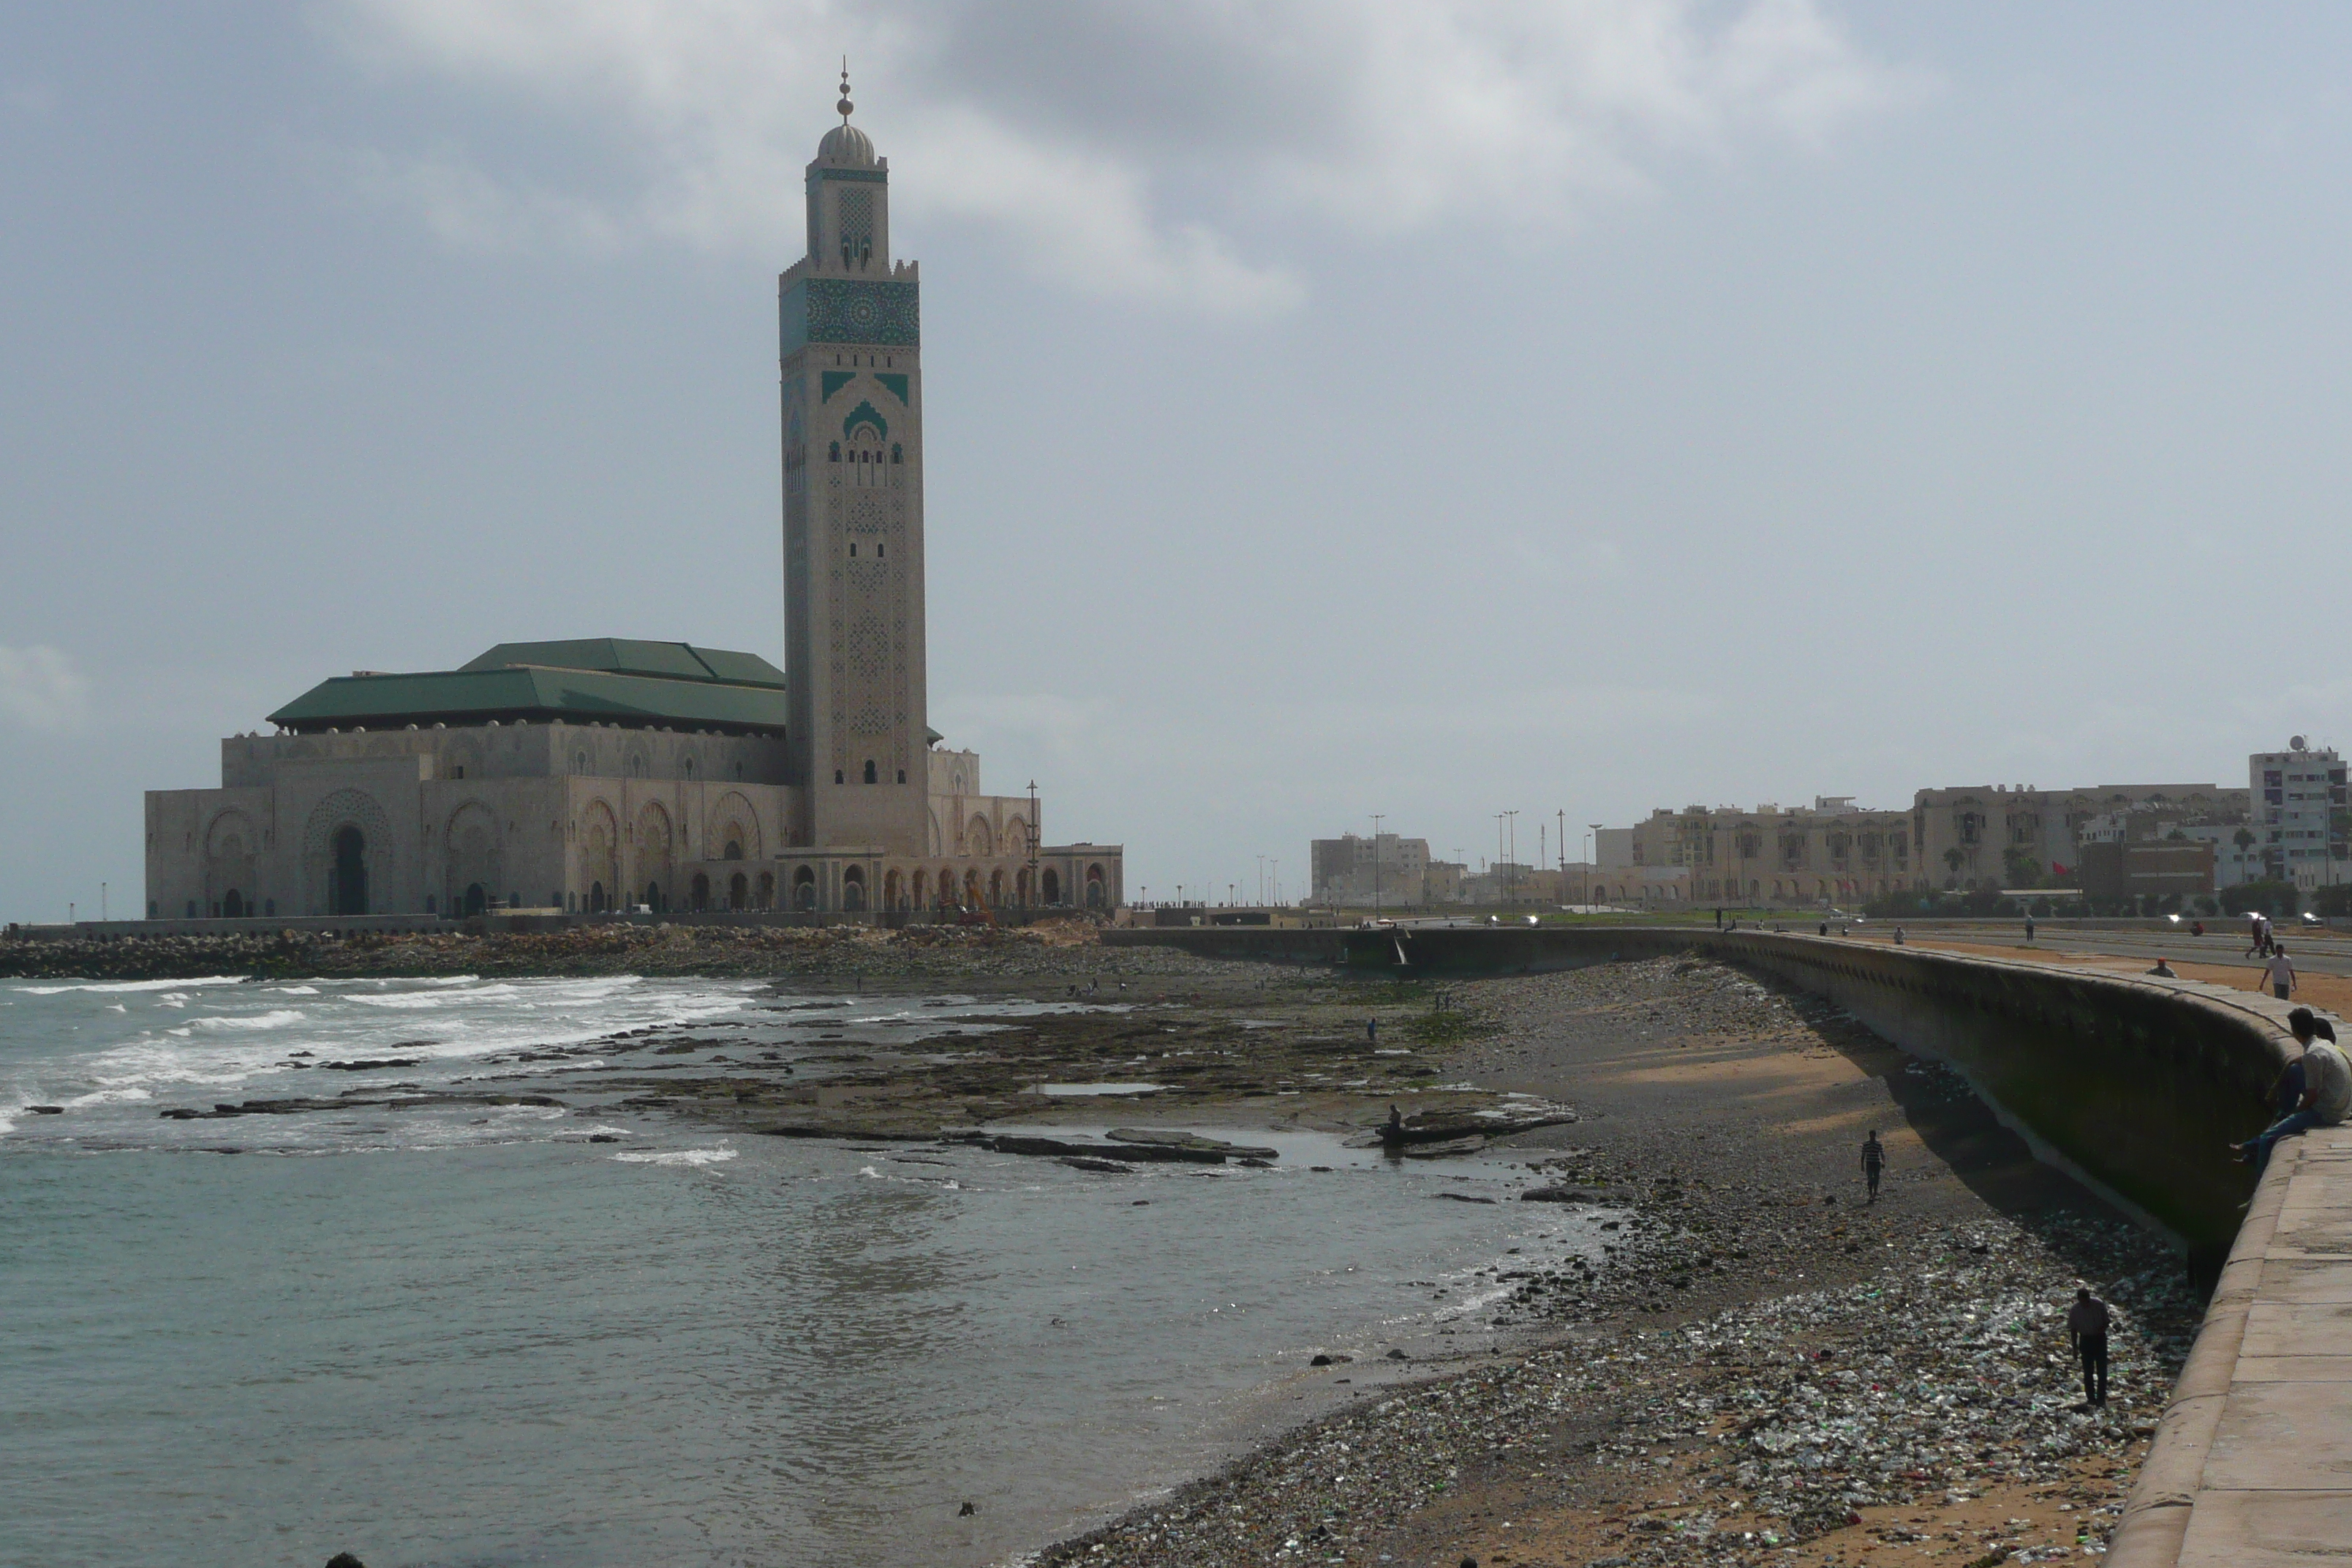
(2254, 1461)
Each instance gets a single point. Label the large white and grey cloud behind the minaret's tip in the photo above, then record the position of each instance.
(1151, 152)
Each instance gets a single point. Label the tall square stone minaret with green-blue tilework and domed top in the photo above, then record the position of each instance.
(853, 514)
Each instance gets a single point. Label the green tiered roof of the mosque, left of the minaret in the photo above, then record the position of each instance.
(592, 681)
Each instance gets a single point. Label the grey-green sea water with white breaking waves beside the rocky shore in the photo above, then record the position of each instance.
(474, 1336)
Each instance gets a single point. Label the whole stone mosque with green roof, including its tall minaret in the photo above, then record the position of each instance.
(613, 775)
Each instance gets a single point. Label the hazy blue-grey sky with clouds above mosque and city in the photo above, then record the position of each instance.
(1335, 408)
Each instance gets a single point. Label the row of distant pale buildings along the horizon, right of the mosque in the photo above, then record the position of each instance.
(2139, 847)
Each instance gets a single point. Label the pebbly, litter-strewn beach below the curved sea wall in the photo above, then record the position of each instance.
(1765, 1372)
